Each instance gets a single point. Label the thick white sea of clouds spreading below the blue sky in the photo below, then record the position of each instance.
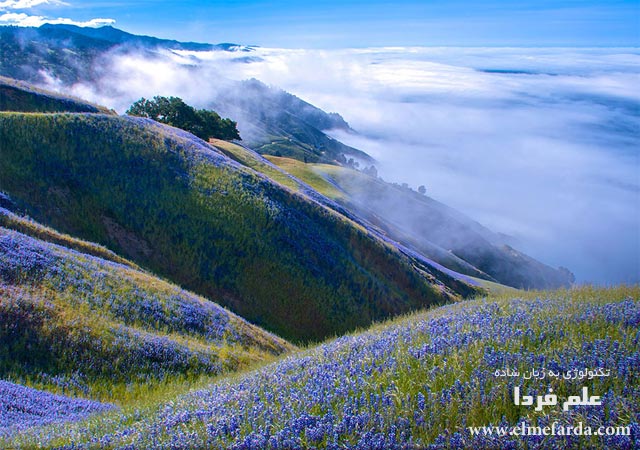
(540, 144)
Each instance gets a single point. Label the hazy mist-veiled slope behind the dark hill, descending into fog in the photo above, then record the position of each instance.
(433, 229)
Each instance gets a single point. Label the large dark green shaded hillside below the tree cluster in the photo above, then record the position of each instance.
(170, 203)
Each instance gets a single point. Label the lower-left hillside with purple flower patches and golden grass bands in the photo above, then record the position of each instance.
(81, 325)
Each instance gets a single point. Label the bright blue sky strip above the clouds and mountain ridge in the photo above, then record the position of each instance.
(349, 23)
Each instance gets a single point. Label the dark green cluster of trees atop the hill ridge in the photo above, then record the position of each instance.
(175, 112)
